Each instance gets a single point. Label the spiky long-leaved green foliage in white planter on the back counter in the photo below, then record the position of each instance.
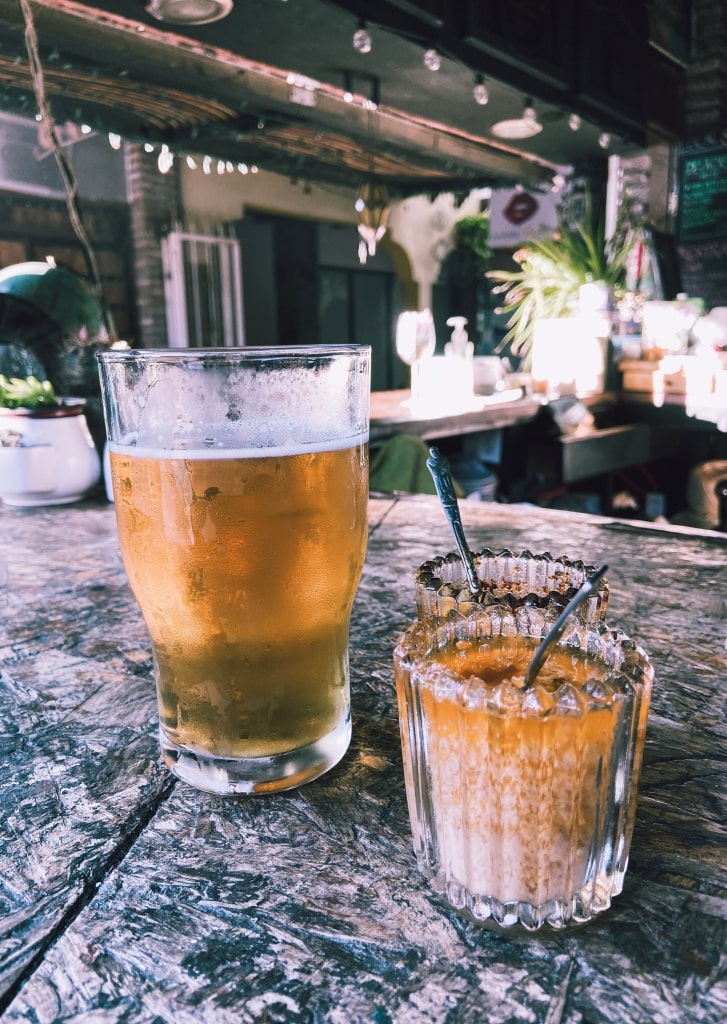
(552, 271)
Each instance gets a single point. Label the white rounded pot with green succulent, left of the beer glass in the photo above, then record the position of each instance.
(48, 455)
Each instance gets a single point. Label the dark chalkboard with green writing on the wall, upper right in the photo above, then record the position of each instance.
(703, 195)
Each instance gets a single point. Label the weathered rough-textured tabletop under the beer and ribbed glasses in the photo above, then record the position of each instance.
(129, 898)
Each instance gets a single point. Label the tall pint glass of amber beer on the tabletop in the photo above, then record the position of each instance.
(241, 485)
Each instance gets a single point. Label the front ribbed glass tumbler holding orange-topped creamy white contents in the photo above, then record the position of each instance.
(522, 800)
